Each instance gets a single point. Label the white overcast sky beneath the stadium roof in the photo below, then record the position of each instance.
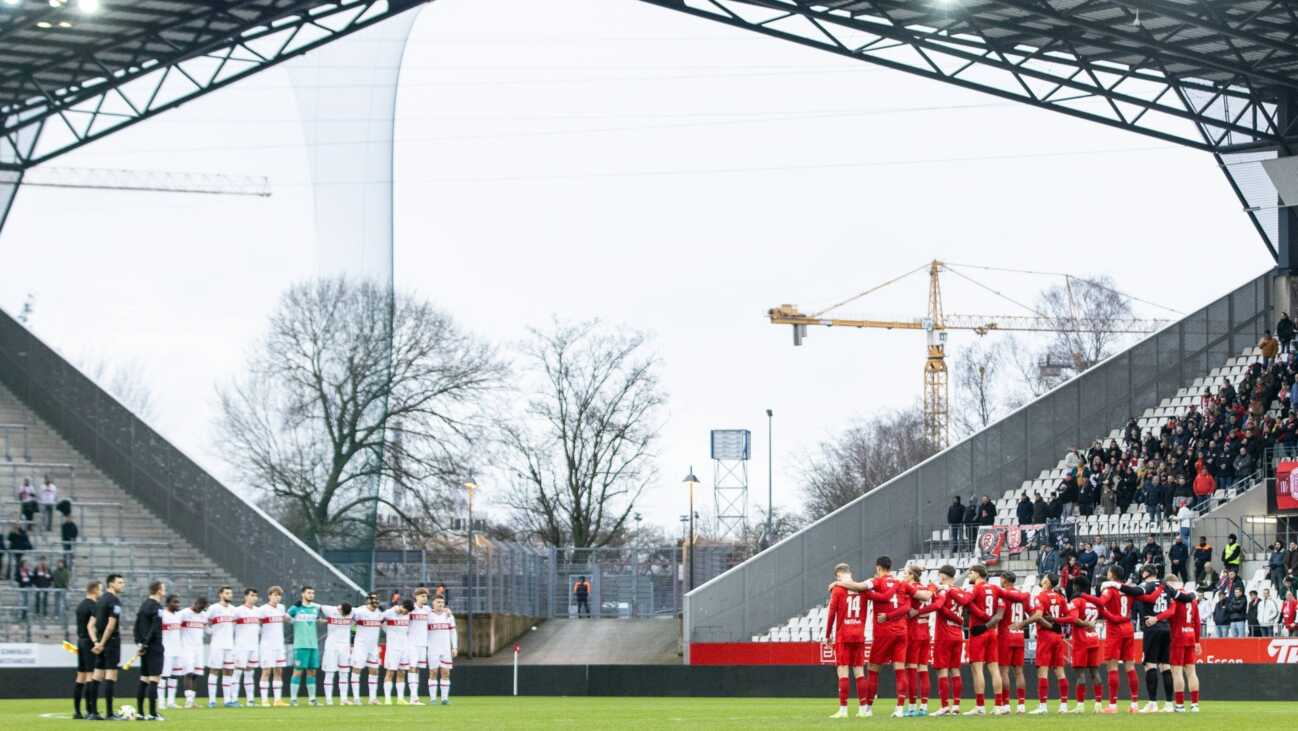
(617, 160)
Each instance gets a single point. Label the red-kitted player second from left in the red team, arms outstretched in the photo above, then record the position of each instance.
(890, 630)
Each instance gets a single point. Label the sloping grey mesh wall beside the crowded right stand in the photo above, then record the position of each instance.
(786, 580)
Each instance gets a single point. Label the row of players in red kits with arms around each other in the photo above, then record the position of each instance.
(912, 625)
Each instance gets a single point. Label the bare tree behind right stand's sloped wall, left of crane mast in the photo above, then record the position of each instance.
(865, 456)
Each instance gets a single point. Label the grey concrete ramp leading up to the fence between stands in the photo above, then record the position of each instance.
(596, 642)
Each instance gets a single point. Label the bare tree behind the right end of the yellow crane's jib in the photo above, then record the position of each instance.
(1092, 304)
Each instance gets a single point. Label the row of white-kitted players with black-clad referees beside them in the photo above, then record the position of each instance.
(246, 643)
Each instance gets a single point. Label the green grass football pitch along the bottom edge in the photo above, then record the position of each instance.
(642, 713)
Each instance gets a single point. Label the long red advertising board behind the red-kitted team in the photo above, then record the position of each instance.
(1251, 651)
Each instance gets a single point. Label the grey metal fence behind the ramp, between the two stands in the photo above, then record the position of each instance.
(528, 581)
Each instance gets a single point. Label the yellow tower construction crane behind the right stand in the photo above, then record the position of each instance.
(935, 327)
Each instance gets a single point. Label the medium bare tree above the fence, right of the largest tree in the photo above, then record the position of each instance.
(581, 452)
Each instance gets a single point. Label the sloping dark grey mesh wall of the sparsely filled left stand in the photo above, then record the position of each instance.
(228, 529)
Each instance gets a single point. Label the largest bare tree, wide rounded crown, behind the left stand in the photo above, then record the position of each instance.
(351, 390)
